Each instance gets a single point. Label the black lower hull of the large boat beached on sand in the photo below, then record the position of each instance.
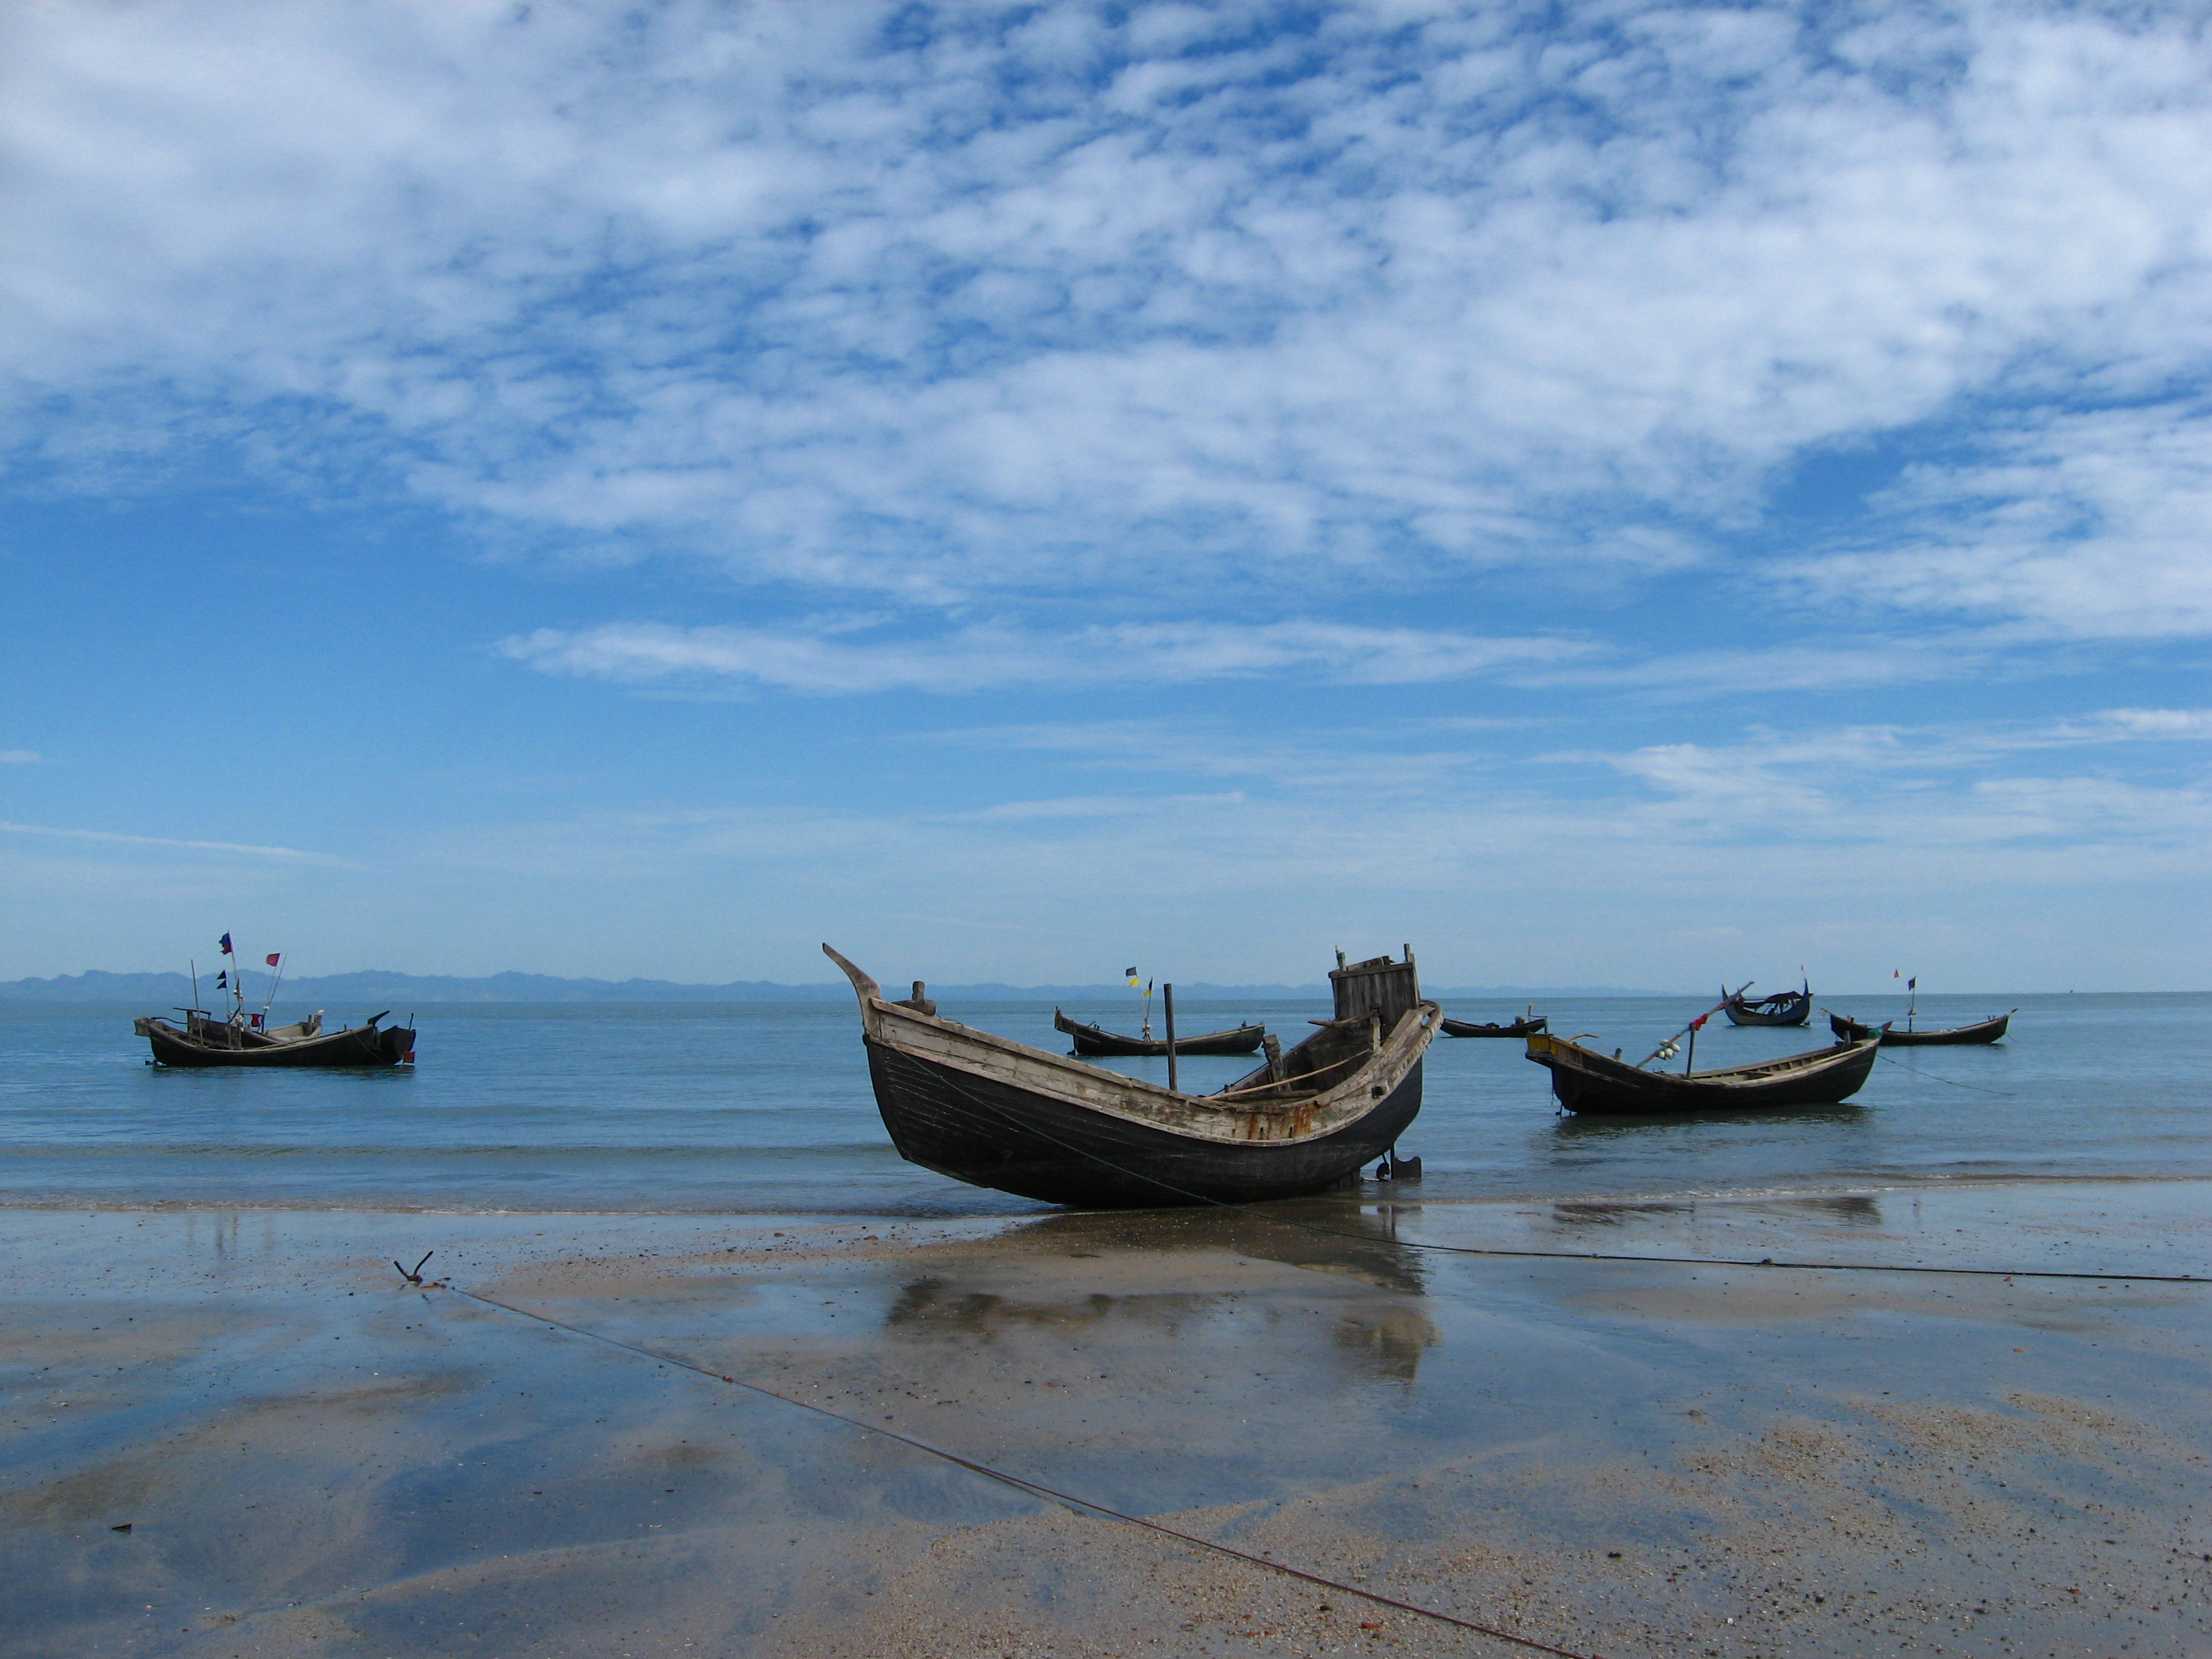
(1016, 1140)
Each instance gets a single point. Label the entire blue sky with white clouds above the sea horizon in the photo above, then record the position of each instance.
(1607, 494)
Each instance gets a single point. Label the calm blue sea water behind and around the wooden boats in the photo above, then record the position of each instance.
(769, 1109)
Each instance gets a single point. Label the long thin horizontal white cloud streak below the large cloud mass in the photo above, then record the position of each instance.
(831, 660)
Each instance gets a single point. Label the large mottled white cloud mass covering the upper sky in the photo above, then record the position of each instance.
(1078, 302)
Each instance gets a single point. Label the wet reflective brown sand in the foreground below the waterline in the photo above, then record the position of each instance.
(1616, 1459)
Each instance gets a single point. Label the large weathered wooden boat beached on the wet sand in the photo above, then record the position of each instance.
(1047, 1127)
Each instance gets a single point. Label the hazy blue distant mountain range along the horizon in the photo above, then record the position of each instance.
(428, 990)
